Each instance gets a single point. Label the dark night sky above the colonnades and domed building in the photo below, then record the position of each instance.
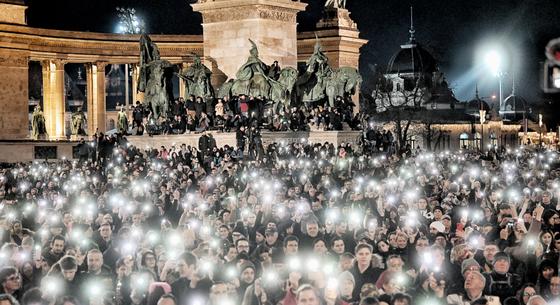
(452, 30)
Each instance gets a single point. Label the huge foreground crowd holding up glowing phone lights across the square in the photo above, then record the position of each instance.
(296, 224)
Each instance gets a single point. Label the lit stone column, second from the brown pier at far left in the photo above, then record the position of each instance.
(96, 97)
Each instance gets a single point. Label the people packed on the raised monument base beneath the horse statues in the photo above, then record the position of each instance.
(197, 114)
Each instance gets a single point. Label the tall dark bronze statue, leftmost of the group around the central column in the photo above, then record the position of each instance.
(155, 78)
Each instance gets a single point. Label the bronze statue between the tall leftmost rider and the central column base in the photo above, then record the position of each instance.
(197, 80)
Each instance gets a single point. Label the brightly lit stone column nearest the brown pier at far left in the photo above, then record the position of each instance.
(54, 99)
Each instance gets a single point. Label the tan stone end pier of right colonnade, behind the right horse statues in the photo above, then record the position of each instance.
(339, 38)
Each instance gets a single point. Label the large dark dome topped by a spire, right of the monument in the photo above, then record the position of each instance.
(412, 57)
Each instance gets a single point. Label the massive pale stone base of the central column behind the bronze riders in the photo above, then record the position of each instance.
(228, 24)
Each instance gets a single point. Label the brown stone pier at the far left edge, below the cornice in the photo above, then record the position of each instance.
(14, 96)
